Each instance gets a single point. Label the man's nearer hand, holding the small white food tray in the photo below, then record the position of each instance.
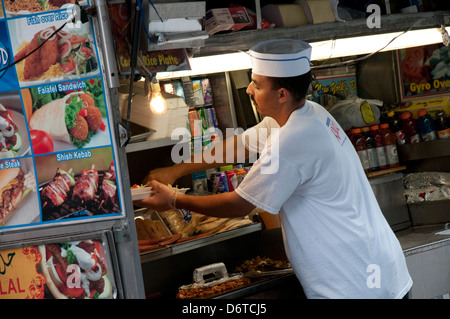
(163, 199)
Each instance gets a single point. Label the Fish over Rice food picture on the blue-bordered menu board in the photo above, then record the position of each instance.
(46, 54)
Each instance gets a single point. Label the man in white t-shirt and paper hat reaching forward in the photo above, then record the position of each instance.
(336, 237)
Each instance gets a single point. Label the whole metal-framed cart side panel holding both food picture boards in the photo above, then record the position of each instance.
(67, 228)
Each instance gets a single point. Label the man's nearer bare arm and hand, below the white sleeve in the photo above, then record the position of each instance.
(219, 205)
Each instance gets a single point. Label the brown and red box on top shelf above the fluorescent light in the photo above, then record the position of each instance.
(225, 19)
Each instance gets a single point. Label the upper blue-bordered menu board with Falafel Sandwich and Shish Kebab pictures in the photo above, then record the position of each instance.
(57, 160)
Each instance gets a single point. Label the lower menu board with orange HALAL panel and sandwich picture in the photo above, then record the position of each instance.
(59, 270)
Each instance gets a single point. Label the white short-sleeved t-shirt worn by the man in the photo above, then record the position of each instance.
(336, 237)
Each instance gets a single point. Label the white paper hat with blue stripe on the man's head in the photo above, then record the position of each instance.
(281, 58)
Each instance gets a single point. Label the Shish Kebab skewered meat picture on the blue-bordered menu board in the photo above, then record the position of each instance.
(77, 184)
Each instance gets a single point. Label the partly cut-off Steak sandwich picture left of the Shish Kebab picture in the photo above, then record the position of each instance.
(19, 204)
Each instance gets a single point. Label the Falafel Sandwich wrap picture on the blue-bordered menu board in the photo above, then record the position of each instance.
(67, 119)
